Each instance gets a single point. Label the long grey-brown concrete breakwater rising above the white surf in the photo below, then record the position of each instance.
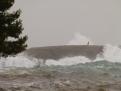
(57, 52)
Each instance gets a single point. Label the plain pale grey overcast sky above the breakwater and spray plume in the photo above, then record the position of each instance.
(53, 22)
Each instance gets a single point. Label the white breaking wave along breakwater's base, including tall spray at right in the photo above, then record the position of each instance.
(110, 54)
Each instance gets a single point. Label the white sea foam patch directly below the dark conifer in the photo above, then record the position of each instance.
(17, 62)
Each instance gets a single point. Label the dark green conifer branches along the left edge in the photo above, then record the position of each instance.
(10, 28)
